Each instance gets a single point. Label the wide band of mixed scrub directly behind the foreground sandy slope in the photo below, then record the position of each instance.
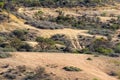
(17, 41)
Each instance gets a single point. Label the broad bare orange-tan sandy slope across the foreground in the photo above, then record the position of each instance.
(96, 68)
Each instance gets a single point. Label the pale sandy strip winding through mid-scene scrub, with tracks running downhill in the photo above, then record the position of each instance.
(72, 34)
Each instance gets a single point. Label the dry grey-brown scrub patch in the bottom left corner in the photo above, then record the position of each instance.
(24, 73)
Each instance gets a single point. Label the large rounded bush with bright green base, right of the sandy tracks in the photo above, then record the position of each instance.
(101, 46)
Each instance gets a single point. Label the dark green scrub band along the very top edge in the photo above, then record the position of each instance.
(58, 3)
